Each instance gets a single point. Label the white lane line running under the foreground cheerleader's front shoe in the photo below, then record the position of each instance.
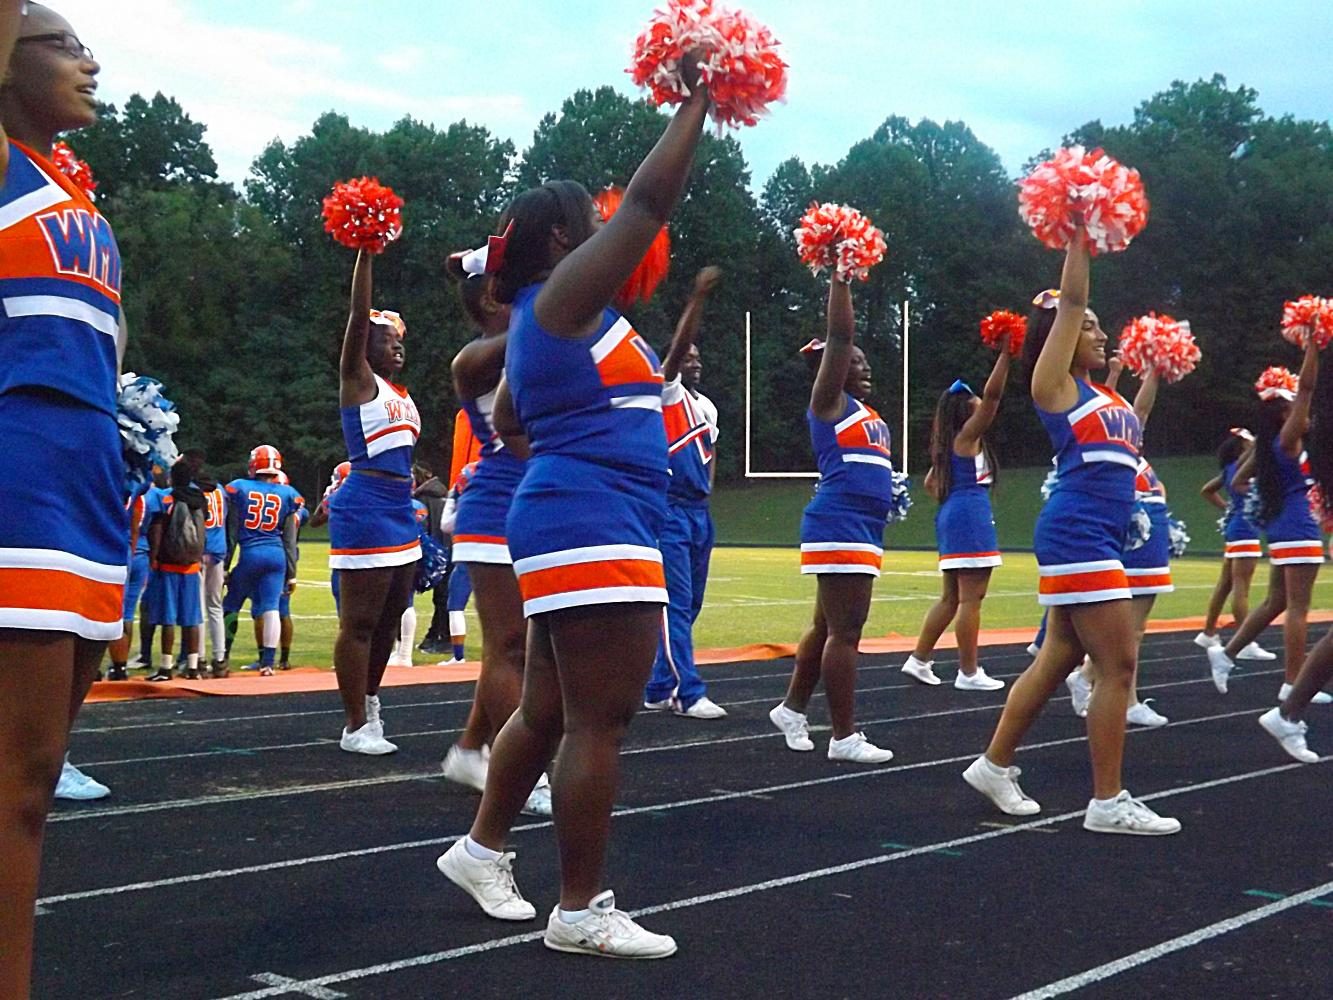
(768, 886)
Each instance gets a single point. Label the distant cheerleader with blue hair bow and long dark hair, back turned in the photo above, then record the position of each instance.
(963, 470)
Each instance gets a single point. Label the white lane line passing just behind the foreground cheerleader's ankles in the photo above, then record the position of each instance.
(627, 811)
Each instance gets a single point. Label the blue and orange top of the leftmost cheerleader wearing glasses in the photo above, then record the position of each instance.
(59, 286)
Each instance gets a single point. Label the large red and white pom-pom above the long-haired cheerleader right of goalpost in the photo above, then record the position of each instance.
(1108, 195)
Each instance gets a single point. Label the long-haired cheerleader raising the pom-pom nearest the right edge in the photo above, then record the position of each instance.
(1280, 471)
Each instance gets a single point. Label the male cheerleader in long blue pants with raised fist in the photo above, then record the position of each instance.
(687, 539)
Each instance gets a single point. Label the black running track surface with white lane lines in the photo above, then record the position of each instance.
(215, 786)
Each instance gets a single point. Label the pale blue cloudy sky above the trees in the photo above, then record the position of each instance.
(1019, 74)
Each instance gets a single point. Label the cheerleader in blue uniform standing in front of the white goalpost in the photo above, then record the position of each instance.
(842, 538)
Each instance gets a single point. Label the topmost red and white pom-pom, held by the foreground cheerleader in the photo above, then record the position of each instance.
(738, 61)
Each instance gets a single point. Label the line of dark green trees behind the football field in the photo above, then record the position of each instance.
(237, 299)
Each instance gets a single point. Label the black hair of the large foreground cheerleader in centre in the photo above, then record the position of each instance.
(534, 214)
